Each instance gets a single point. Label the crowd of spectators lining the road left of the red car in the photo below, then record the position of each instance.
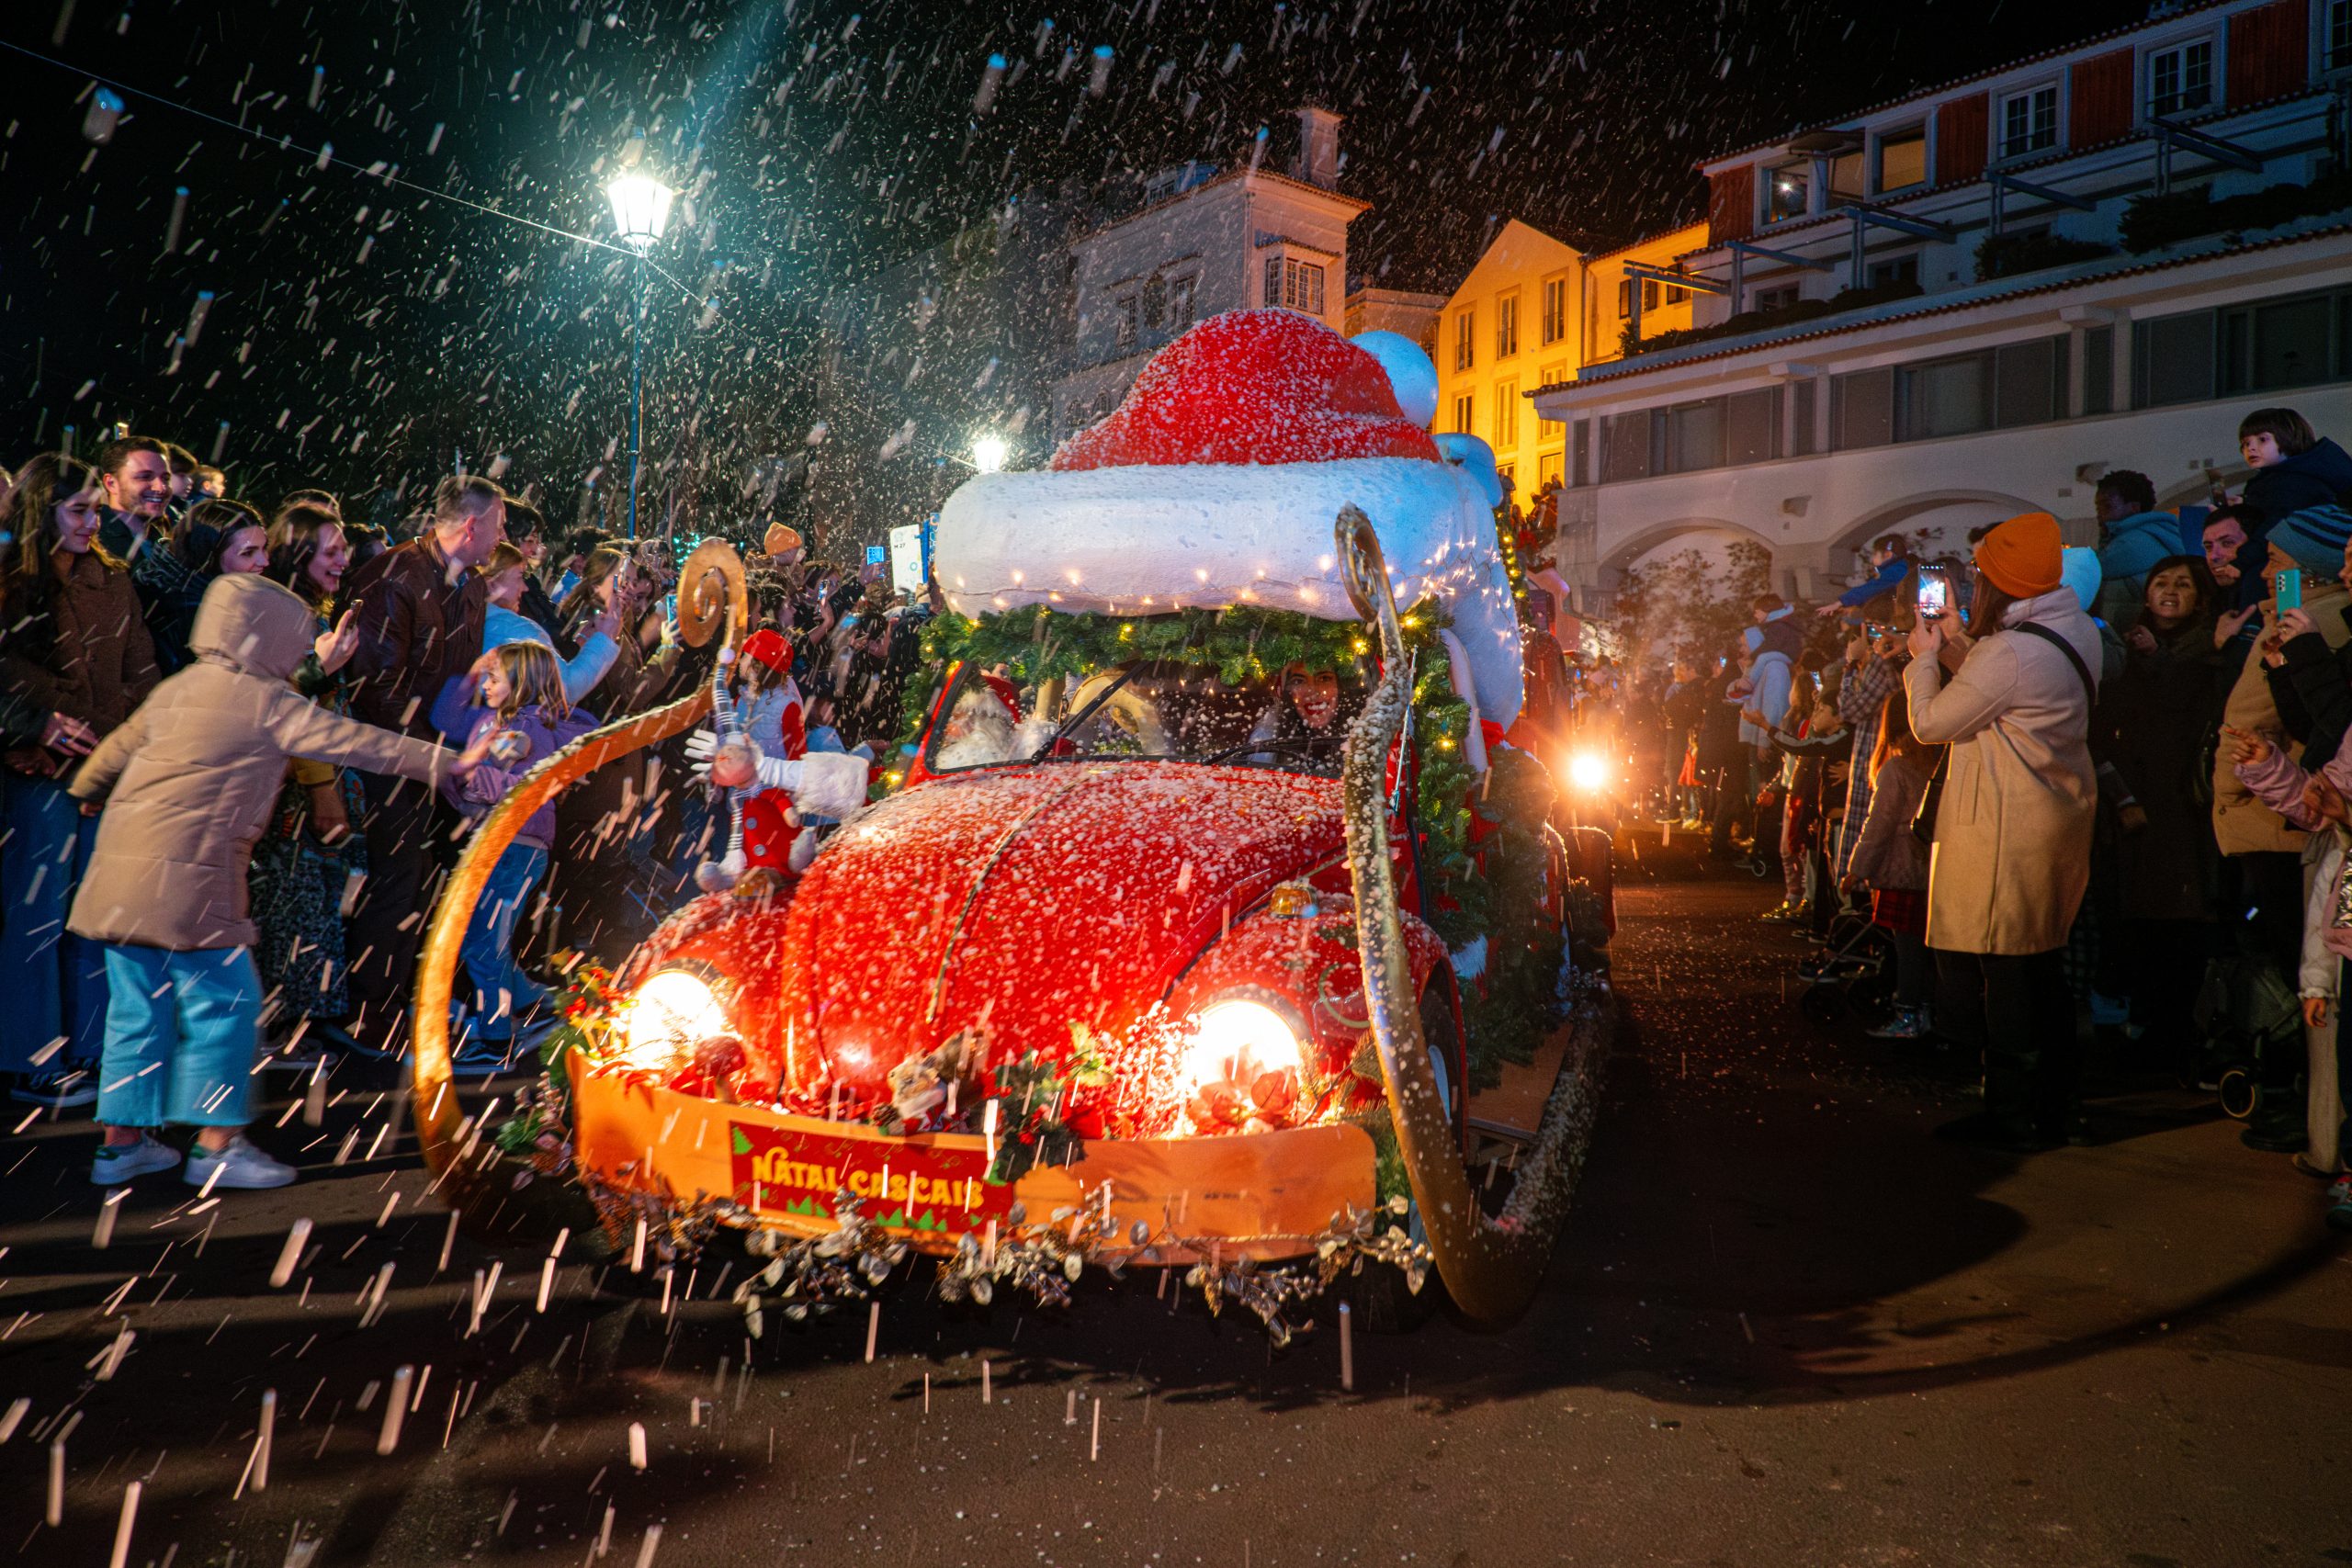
(243, 749)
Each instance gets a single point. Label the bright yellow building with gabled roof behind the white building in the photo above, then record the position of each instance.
(1532, 314)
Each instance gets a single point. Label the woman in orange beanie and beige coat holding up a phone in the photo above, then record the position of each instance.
(2012, 850)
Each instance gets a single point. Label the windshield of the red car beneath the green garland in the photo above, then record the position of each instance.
(1295, 721)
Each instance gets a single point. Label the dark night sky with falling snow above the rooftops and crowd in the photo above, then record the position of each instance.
(366, 335)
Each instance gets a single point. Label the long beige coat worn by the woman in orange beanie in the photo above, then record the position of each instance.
(2012, 850)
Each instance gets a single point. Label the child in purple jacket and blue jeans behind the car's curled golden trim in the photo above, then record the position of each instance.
(521, 706)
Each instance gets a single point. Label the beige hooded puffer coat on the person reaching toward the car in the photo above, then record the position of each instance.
(192, 777)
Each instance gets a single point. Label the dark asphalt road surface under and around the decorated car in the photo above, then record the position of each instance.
(1784, 1327)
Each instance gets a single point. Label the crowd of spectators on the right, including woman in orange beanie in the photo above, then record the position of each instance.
(2097, 798)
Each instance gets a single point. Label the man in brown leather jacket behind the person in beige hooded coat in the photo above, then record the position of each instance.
(420, 615)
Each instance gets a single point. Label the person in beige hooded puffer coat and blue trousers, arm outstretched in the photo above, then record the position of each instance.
(189, 784)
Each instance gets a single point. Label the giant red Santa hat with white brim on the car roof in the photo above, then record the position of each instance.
(1217, 483)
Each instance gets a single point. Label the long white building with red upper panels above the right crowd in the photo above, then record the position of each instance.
(1977, 300)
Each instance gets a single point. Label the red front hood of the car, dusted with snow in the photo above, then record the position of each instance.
(1005, 904)
